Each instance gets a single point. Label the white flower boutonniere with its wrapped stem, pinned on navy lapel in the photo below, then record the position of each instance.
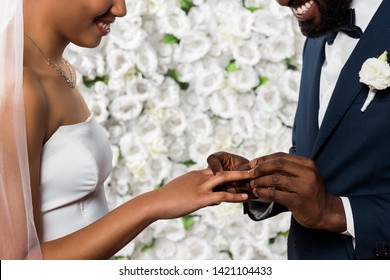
(375, 73)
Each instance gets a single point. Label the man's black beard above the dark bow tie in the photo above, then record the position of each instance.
(331, 12)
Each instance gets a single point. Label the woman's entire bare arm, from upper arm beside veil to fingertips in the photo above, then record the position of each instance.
(103, 238)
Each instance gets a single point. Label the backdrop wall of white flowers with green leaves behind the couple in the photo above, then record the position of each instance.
(177, 80)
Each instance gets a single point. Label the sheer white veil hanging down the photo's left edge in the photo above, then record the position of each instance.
(18, 238)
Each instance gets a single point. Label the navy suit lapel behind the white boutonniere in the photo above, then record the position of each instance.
(348, 86)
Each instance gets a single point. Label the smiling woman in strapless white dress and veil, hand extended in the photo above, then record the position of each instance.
(54, 156)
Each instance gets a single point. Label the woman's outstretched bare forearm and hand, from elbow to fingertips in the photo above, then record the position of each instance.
(108, 235)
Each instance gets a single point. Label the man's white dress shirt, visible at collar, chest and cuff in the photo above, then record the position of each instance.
(336, 55)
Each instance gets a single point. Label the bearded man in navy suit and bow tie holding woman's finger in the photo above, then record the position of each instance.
(336, 178)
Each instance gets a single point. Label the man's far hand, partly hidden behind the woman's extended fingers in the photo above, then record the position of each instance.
(223, 161)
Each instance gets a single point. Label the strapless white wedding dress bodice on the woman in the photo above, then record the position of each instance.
(76, 161)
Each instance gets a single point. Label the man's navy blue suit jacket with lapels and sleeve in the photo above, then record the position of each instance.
(351, 149)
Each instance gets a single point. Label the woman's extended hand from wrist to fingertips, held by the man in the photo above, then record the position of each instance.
(194, 190)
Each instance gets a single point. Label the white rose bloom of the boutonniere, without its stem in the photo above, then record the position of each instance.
(375, 73)
